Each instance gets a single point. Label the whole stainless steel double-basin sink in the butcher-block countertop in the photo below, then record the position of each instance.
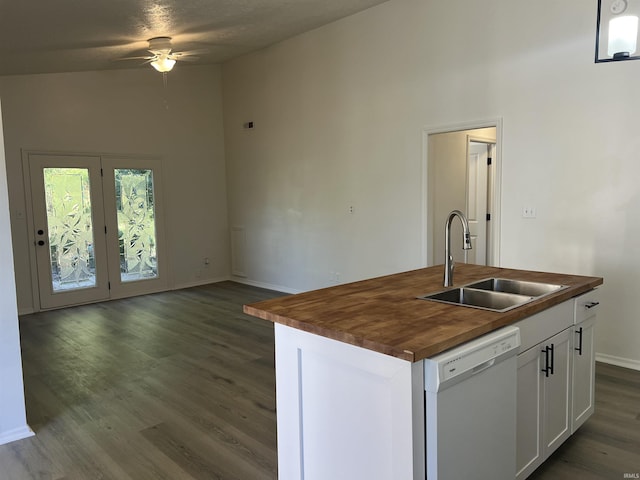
(495, 294)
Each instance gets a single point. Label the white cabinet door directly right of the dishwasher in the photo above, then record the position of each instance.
(529, 411)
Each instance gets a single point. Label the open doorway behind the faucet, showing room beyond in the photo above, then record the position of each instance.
(462, 167)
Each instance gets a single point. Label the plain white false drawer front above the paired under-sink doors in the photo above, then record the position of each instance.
(537, 328)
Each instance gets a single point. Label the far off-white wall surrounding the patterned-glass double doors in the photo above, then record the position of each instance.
(129, 112)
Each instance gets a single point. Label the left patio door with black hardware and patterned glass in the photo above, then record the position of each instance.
(68, 221)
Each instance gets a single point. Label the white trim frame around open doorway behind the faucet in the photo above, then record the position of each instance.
(495, 177)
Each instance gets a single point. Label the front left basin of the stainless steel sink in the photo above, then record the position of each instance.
(485, 299)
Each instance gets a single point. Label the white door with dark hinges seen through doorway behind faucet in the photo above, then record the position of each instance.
(477, 155)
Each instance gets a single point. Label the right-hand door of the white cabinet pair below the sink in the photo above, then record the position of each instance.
(557, 391)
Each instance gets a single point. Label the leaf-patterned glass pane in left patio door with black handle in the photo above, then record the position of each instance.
(68, 200)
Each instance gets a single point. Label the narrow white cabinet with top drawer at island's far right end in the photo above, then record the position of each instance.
(583, 378)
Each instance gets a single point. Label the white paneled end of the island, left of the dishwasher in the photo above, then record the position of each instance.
(346, 412)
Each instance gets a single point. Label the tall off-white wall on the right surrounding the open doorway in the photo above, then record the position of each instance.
(338, 117)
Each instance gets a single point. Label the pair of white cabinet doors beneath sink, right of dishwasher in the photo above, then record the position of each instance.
(543, 418)
